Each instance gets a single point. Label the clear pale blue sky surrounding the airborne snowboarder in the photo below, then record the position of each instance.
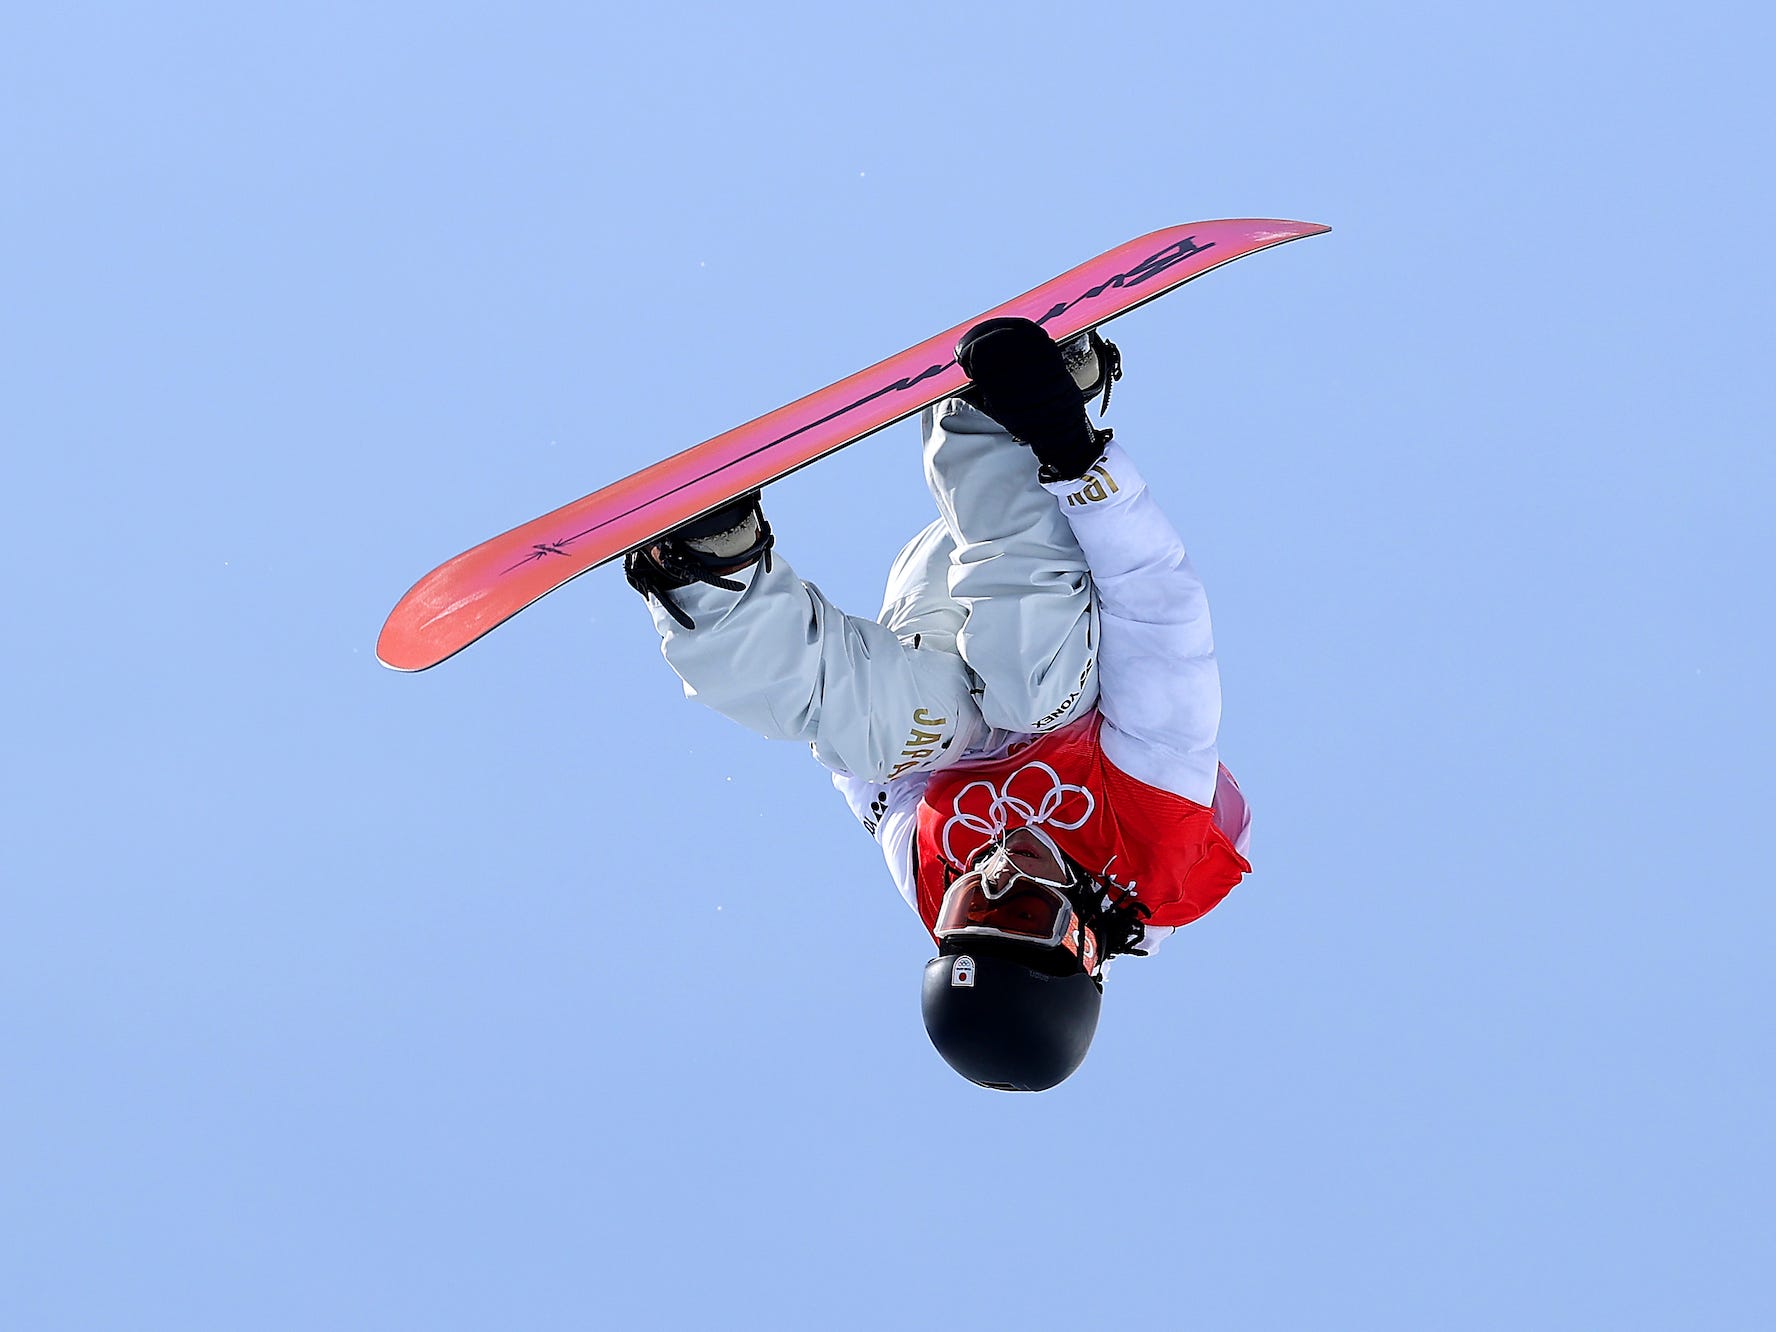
(527, 994)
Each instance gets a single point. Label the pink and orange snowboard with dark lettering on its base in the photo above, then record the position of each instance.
(466, 598)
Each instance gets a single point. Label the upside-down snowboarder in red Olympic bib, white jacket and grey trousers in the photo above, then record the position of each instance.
(1029, 729)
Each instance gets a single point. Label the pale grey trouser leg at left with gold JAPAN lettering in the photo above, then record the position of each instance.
(784, 662)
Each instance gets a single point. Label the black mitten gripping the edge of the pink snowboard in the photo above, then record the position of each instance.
(1022, 381)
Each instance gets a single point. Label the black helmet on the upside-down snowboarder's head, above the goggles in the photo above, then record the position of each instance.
(1011, 1019)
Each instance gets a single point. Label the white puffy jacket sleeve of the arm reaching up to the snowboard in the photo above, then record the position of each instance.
(1159, 683)
